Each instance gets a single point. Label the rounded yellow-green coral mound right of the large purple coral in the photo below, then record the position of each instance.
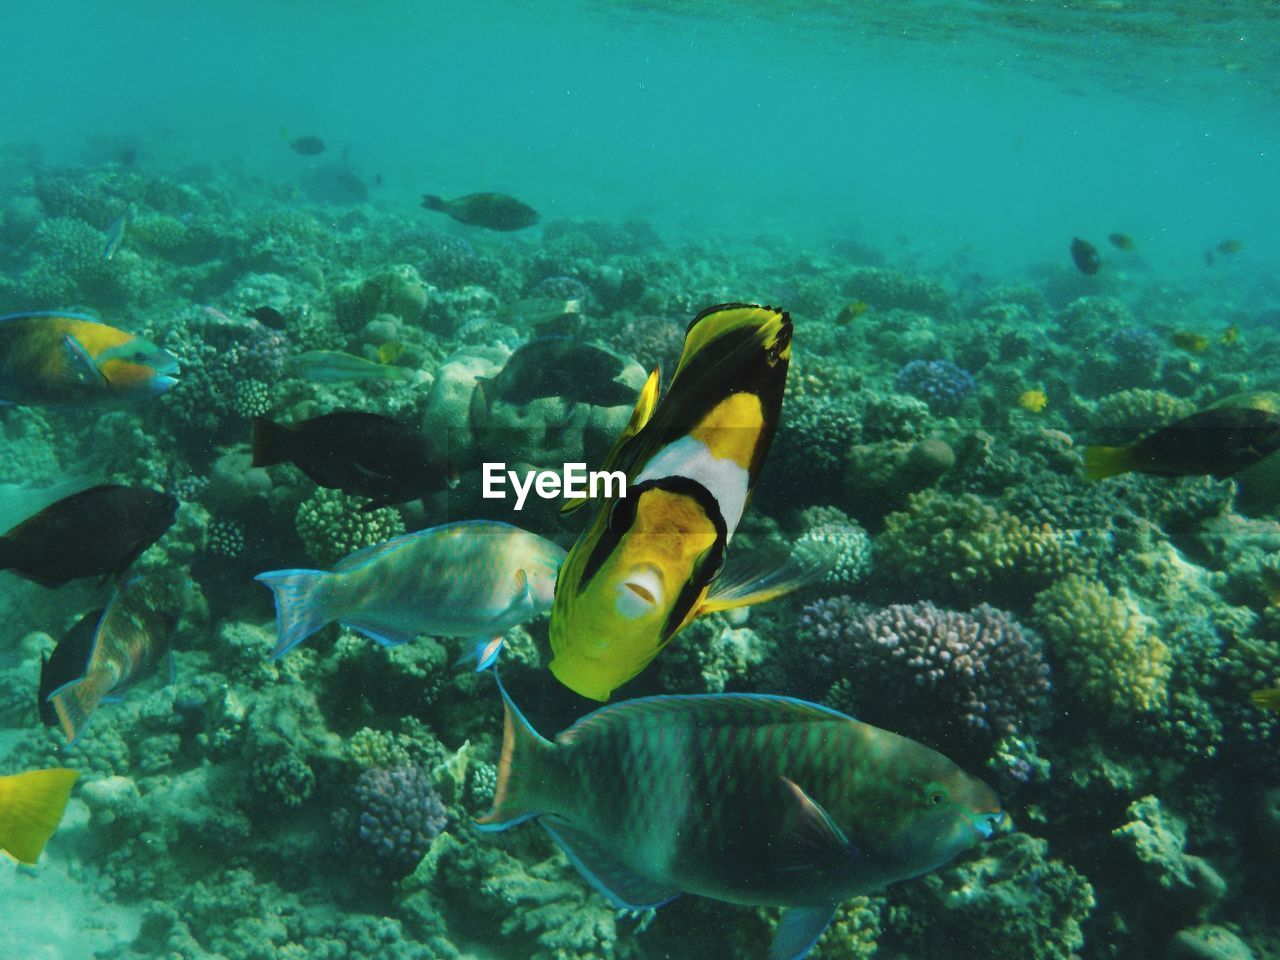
(1107, 646)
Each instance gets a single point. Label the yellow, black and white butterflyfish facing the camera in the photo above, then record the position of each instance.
(650, 561)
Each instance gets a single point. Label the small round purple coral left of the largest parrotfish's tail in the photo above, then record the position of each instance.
(400, 815)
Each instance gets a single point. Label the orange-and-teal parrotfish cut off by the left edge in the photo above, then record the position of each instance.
(70, 360)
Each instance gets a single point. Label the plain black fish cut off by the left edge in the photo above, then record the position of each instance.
(97, 533)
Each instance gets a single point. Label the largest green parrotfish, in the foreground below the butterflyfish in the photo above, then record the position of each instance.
(744, 798)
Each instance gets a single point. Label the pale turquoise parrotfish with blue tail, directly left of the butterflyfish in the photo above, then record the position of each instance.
(472, 579)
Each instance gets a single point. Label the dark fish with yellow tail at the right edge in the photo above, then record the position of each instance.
(1218, 442)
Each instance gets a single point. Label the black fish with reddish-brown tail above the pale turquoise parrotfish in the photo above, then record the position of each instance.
(364, 455)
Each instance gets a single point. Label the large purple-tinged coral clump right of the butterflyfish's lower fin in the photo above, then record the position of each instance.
(962, 682)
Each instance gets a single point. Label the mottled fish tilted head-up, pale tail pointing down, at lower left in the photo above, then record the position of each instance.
(130, 639)
